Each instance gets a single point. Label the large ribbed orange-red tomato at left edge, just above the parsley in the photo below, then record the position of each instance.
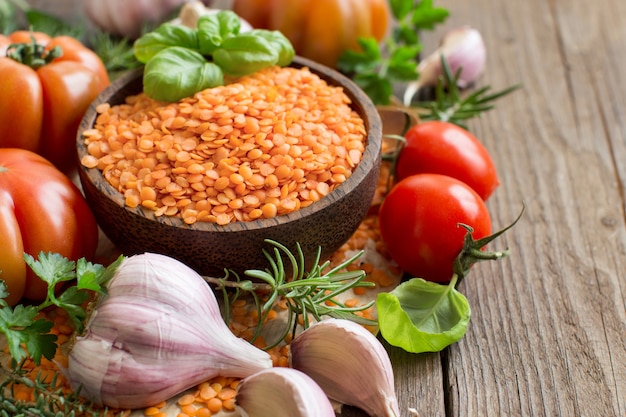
(40, 210)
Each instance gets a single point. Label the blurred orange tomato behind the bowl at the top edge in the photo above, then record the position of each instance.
(320, 30)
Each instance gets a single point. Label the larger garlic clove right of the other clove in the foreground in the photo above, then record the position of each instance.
(349, 364)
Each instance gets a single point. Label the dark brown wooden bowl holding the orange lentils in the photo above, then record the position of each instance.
(209, 248)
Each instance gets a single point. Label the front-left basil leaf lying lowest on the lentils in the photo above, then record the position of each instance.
(176, 72)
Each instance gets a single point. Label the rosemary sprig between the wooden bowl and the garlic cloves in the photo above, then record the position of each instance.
(307, 294)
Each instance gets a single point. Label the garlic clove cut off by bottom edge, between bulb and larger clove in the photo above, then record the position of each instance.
(282, 392)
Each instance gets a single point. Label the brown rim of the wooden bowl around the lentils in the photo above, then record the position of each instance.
(359, 102)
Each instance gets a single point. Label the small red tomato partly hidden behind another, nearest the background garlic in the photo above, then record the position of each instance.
(445, 148)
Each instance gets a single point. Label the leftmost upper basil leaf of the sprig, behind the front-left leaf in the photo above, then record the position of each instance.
(165, 36)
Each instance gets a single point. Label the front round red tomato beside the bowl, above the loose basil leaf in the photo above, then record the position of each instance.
(419, 223)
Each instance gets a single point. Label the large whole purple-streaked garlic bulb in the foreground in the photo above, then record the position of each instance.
(157, 333)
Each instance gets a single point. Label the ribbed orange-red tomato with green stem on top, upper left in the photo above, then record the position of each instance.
(42, 104)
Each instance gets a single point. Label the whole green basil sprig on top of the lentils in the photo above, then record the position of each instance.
(180, 61)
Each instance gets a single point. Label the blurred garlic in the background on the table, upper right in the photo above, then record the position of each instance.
(463, 48)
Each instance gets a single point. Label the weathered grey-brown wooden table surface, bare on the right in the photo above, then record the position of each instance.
(548, 330)
